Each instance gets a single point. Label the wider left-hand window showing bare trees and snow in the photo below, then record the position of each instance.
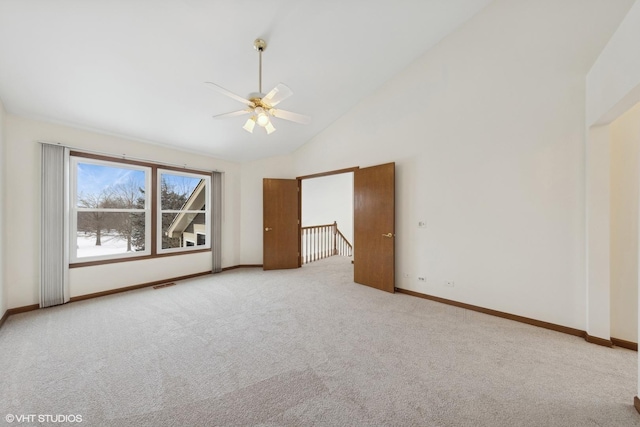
(110, 210)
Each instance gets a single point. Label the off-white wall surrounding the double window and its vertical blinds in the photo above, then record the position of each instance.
(22, 211)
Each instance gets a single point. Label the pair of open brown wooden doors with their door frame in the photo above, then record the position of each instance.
(373, 224)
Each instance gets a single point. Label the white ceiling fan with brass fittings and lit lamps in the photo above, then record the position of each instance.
(259, 105)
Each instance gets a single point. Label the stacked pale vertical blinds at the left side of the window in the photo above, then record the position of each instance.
(54, 267)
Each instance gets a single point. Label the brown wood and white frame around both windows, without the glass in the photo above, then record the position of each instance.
(154, 195)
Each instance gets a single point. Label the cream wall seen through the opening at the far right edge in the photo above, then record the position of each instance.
(625, 180)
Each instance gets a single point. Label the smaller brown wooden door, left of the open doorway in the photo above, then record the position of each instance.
(280, 226)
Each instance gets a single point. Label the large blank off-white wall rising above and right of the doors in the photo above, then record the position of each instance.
(487, 131)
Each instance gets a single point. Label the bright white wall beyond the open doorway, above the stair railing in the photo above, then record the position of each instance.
(327, 199)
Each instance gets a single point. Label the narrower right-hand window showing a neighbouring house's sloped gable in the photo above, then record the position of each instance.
(183, 213)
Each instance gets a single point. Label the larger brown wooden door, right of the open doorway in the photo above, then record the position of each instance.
(374, 227)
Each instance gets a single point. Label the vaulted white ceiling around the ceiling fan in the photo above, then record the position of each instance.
(136, 68)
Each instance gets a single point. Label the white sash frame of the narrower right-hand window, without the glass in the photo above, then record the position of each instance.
(207, 212)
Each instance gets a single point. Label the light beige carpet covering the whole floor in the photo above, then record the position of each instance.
(298, 348)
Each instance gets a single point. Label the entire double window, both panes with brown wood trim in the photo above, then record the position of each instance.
(124, 209)
